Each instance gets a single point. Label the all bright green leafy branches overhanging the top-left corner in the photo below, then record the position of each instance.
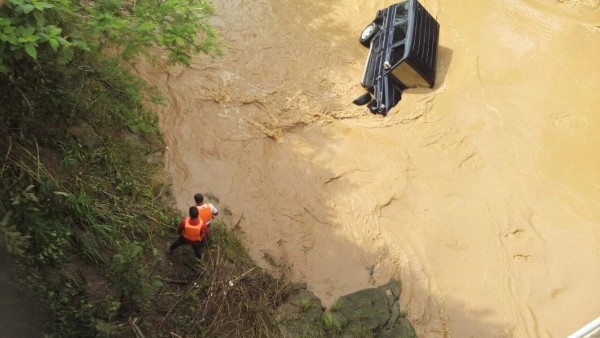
(39, 29)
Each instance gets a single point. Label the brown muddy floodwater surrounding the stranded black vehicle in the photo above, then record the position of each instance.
(482, 195)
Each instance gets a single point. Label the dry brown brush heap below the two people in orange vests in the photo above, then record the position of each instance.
(226, 295)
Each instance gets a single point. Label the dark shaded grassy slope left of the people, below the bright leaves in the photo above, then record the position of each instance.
(65, 203)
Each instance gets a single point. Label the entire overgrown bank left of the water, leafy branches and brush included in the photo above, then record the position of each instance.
(84, 209)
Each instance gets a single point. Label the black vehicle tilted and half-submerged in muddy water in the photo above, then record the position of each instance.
(403, 42)
